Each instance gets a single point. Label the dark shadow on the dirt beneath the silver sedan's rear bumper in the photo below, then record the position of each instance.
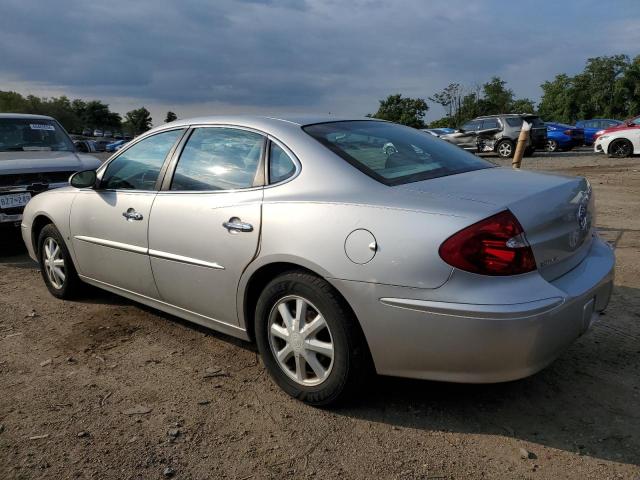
(586, 402)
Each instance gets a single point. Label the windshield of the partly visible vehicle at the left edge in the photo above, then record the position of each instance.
(33, 134)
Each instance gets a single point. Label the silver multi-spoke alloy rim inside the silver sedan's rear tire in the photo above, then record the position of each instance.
(300, 340)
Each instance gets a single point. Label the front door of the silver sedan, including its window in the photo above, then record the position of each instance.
(109, 224)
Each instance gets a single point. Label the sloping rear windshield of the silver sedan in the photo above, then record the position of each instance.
(394, 154)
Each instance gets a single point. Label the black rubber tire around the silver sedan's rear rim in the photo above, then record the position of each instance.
(351, 361)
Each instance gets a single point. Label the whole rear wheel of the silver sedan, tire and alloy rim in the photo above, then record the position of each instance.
(308, 339)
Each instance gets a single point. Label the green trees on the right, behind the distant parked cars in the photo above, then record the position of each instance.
(608, 87)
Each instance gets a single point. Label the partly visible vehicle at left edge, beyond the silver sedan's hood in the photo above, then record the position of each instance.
(36, 155)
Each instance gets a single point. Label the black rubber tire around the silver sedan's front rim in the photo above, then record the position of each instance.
(71, 285)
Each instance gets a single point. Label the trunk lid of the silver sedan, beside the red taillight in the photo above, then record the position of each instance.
(556, 212)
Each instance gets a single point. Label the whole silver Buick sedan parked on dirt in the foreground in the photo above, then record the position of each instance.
(336, 254)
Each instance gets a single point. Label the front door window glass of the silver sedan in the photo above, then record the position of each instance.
(138, 167)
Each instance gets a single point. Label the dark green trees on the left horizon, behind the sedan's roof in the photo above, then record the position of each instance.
(76, 115)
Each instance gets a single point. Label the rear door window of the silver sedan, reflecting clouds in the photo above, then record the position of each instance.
(218, 159)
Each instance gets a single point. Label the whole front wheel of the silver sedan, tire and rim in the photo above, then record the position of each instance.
(56, 267)
